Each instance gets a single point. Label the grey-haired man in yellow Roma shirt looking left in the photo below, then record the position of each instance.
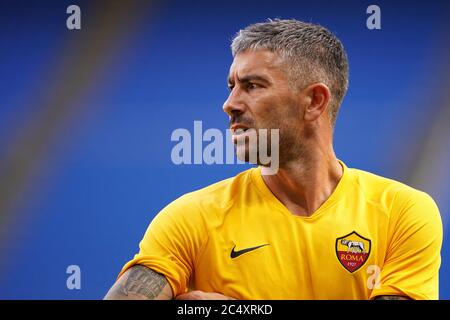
(315, 229)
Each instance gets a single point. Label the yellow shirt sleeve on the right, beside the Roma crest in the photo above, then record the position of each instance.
(412, 262)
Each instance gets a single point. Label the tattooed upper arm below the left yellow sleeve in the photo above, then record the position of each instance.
(140, 283)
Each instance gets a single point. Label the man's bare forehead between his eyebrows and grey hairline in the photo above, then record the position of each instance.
(262, 62)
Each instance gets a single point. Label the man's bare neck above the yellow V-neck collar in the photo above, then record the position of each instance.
(304, 185)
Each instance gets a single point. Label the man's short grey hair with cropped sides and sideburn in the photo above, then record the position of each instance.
(311, 52)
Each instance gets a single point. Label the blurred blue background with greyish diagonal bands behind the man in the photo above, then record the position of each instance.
(86, 118)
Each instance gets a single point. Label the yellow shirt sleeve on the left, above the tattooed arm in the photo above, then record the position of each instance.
(171, 243)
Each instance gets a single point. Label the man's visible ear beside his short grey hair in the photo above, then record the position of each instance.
(317, 97)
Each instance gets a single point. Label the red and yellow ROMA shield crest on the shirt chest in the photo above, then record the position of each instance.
(352, 251)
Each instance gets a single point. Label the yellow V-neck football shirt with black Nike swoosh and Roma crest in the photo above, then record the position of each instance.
(373, 236)
